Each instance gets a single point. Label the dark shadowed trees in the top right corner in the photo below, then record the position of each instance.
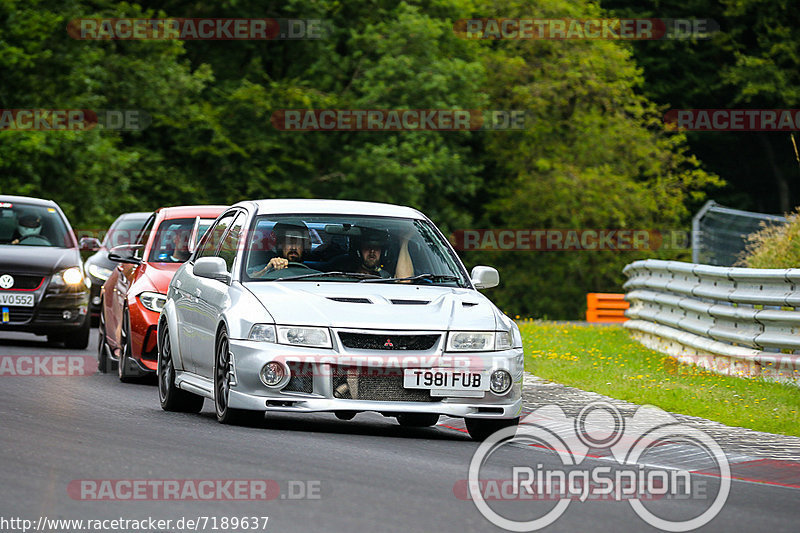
(753, 62)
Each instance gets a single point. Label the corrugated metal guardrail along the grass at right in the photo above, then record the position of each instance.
(738, 321)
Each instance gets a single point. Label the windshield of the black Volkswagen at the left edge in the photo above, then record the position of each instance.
(32, 225)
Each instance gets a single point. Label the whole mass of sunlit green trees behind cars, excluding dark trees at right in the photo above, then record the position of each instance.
(593, 155)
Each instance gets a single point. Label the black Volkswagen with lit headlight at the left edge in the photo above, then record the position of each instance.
(42, 286)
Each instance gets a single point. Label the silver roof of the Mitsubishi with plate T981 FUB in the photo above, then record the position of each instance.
(315, 206)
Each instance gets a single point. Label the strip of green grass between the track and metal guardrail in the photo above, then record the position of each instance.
(607, 360)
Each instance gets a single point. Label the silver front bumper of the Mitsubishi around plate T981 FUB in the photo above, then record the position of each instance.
(315, 389)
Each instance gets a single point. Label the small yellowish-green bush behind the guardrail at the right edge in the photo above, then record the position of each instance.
(774, 246)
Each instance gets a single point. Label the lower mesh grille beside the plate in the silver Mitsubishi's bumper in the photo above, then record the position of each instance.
(350, 383)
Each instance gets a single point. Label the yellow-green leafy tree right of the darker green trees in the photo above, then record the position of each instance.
(595, 157)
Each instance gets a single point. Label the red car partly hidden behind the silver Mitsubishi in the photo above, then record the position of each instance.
(135, 292)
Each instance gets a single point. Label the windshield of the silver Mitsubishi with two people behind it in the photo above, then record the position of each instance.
(350, 249)
